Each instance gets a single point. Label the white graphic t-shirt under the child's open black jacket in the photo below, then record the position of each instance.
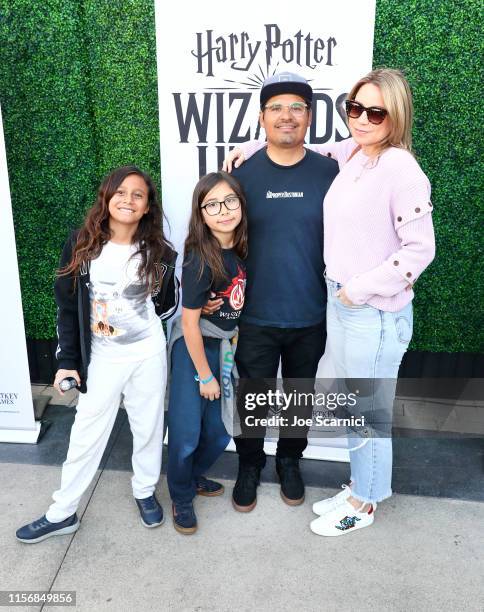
(124, 325)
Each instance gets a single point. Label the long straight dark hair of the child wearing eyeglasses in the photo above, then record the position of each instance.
(200, 240)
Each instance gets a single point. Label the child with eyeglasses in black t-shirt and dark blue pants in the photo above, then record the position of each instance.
(201, 346)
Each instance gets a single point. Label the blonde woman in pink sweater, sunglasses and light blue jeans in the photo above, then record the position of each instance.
(378, 239)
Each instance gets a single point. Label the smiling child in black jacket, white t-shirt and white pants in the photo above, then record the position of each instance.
(115, 282)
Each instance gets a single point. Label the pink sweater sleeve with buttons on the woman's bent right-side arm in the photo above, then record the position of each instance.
(410, 209)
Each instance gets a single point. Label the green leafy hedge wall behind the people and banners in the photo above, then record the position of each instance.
(78, 90)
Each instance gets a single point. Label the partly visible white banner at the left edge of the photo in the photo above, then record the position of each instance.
(17, 423)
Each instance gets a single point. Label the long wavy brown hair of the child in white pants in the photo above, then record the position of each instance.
(95, 232)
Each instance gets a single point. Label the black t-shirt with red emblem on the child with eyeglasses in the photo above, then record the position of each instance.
(197, 291)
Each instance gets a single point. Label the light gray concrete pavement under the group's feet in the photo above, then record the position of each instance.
(422, 553)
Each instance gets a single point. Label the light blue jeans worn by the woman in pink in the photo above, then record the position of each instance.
(368, 343)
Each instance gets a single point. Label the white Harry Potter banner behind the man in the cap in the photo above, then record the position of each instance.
(211, 65)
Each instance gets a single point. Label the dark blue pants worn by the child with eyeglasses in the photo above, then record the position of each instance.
(196, 433)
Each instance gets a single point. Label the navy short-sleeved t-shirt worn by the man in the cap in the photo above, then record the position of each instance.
(285, 266)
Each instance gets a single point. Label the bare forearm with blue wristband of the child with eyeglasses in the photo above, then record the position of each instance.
(194, 341)
